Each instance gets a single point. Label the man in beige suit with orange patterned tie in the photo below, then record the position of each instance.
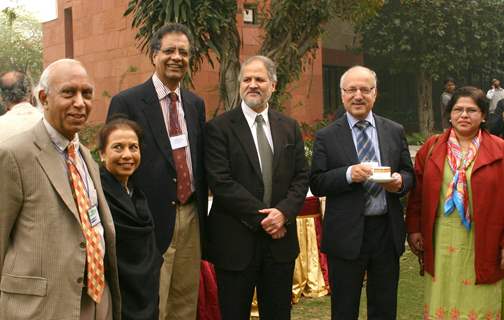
(57, 239)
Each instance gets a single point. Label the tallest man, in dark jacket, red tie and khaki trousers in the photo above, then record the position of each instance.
(171, 173)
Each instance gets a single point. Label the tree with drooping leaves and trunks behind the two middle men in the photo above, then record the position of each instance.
(292, 29)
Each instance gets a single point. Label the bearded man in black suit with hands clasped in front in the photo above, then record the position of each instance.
(257, 172)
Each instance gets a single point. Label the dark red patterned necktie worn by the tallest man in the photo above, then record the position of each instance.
(179, 155)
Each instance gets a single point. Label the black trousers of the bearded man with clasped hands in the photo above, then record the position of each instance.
(272, 279)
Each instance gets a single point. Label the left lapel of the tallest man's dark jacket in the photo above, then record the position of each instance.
(154, 115)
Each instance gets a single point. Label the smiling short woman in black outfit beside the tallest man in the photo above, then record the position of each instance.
(138, 258)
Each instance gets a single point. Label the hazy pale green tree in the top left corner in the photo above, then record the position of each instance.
(20, 42)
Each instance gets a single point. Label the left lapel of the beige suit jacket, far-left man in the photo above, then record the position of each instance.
(53, 169)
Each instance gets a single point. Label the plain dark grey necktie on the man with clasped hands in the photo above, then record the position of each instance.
(266, 159)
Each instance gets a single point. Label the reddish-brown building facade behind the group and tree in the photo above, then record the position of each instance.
(96, 33)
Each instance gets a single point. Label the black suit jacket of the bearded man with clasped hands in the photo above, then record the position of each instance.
(234, 177)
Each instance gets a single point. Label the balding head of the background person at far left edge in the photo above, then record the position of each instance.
(16, 89)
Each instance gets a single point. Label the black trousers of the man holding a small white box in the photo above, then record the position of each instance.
(379, 259)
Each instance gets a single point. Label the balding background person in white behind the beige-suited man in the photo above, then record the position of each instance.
(16, 95)
